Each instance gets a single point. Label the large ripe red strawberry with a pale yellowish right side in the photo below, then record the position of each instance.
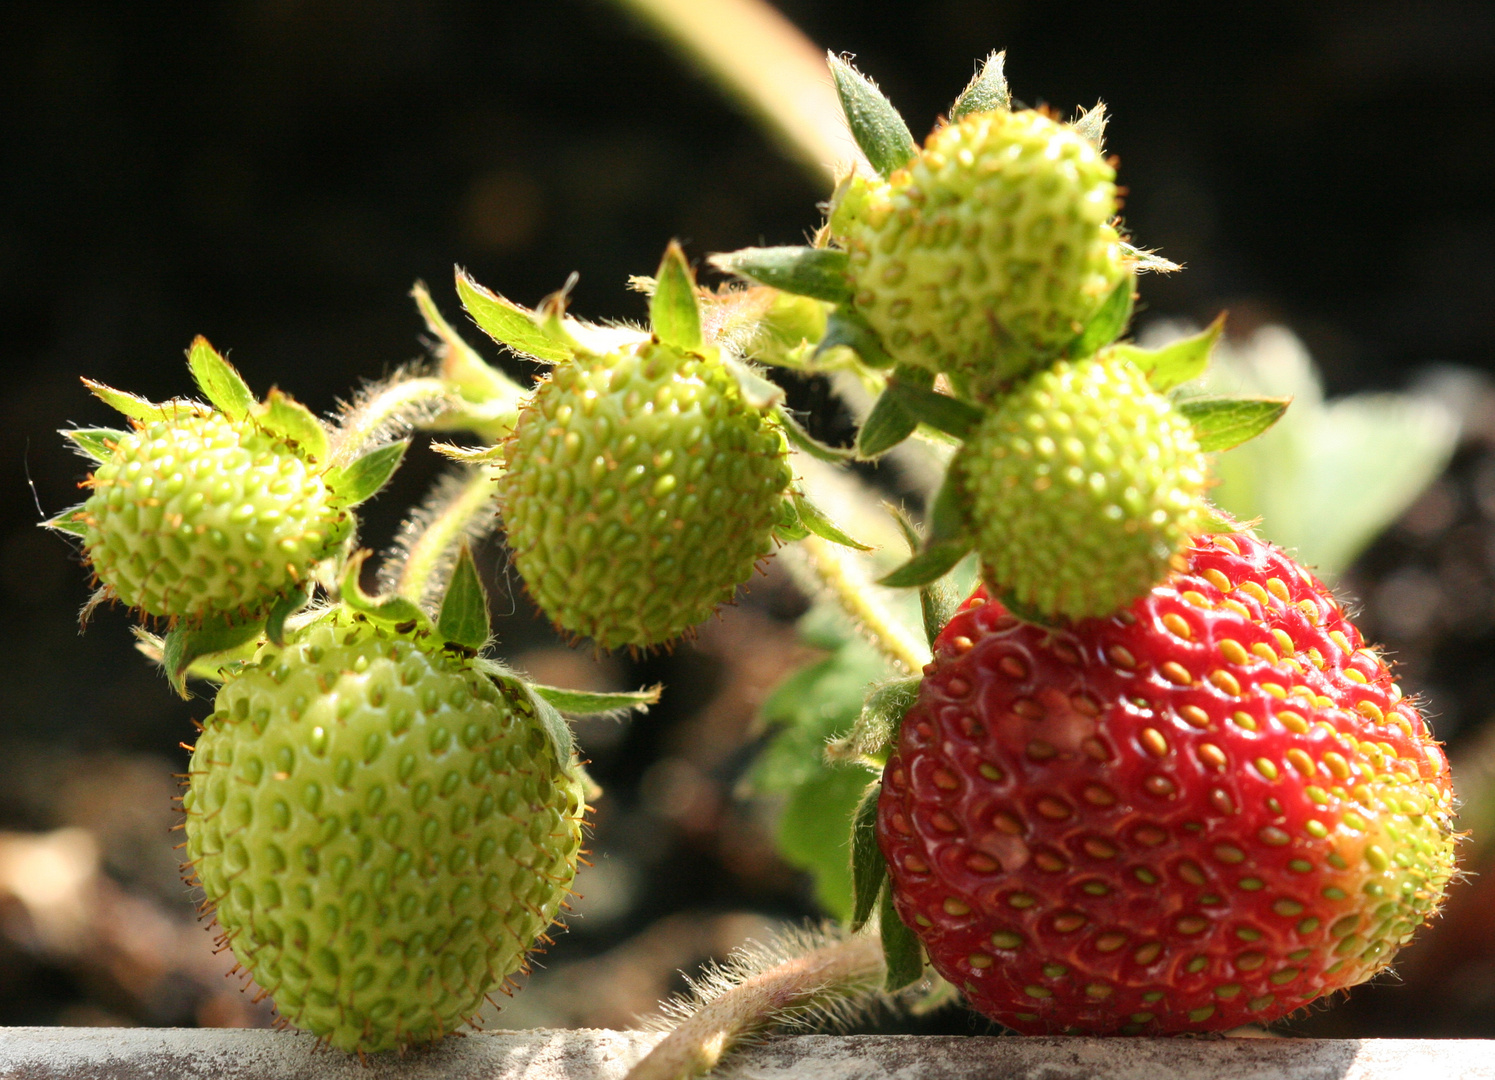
(1204, 811)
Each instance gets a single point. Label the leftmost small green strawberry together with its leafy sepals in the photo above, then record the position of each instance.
(213, 515)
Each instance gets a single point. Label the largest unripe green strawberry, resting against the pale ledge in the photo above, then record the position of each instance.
(382, 829)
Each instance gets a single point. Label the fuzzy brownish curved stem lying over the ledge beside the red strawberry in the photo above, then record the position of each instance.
(814, 976)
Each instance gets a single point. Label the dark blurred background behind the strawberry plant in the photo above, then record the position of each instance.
(276, 176)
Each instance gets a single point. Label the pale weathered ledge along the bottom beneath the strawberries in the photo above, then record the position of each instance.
(179, 1054)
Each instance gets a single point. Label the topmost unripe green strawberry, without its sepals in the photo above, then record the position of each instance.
(989, 252)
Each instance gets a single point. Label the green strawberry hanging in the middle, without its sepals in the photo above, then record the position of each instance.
(639, 493)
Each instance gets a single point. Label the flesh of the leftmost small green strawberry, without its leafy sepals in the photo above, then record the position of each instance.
(195, 515)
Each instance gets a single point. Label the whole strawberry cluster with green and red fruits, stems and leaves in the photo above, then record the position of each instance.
(1147, 779)
